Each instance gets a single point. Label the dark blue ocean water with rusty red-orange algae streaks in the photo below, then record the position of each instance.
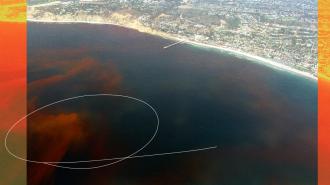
(263, 120)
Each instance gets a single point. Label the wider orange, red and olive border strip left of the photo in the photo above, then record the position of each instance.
(12, 86)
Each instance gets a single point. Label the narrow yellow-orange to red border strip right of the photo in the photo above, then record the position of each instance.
(324, 93)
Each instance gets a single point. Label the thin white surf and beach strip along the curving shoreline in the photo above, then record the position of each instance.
(249, 56)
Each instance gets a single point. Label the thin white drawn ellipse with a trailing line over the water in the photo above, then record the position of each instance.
(117, 159)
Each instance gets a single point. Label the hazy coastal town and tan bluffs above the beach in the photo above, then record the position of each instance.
(284, 32)
